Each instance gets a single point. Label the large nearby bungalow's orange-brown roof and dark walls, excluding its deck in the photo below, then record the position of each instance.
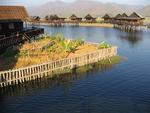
(12, 19)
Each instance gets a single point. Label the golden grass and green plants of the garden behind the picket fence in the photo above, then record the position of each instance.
(44, 49)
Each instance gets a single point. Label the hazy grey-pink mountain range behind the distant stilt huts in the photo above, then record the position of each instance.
(83, 7)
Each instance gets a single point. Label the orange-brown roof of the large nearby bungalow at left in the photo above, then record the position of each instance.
(13, 12)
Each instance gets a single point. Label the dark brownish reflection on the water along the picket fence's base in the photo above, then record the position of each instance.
(46, 83)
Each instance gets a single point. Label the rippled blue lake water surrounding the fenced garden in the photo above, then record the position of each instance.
(121, 88)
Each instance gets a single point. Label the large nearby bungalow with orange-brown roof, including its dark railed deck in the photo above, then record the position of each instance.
(13, 26)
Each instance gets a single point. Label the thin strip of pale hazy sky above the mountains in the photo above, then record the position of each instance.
(38, 2)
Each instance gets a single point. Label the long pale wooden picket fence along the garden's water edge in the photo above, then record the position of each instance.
(21, 75)
